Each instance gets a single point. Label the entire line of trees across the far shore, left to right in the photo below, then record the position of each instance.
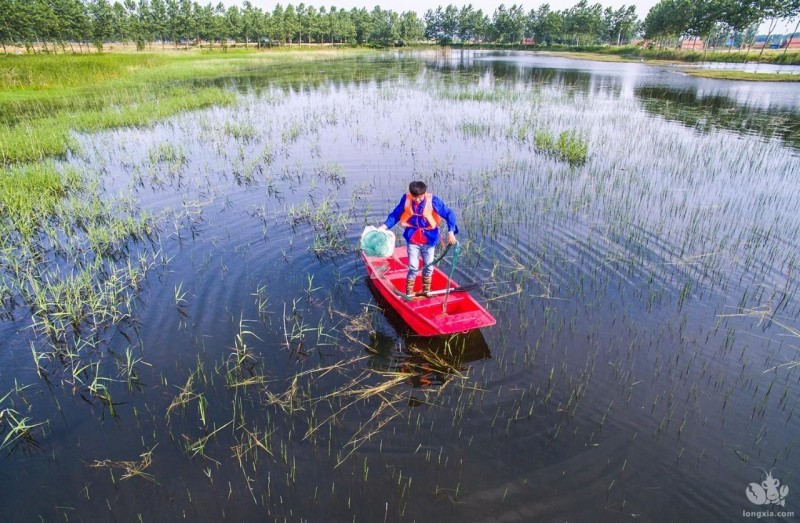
(55, 24)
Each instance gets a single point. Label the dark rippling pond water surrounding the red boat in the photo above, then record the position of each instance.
(640, 367)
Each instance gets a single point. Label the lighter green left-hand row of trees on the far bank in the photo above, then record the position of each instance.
(54, 24)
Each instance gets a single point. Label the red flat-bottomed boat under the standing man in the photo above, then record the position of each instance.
(440, 312)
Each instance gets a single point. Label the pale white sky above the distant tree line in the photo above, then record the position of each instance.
(488, 6)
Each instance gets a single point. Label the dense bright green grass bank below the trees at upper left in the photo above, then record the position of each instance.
(45, 98)
